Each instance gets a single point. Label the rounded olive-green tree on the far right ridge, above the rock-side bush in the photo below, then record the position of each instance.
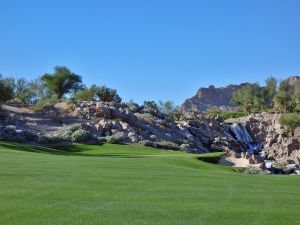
(285, 99)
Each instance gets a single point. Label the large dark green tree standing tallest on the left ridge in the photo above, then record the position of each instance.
(62, 81)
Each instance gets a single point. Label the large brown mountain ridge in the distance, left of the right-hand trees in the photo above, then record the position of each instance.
(212, 97)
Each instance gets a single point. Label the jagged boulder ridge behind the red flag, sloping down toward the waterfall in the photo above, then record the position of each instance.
(111, 118)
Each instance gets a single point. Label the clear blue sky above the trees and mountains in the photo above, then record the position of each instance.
(152, 50)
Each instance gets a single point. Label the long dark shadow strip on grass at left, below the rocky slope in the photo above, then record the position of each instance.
(71, 150)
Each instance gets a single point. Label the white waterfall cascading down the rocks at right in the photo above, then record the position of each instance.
(242, 135)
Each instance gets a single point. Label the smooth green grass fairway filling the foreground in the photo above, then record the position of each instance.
(120, 184)
